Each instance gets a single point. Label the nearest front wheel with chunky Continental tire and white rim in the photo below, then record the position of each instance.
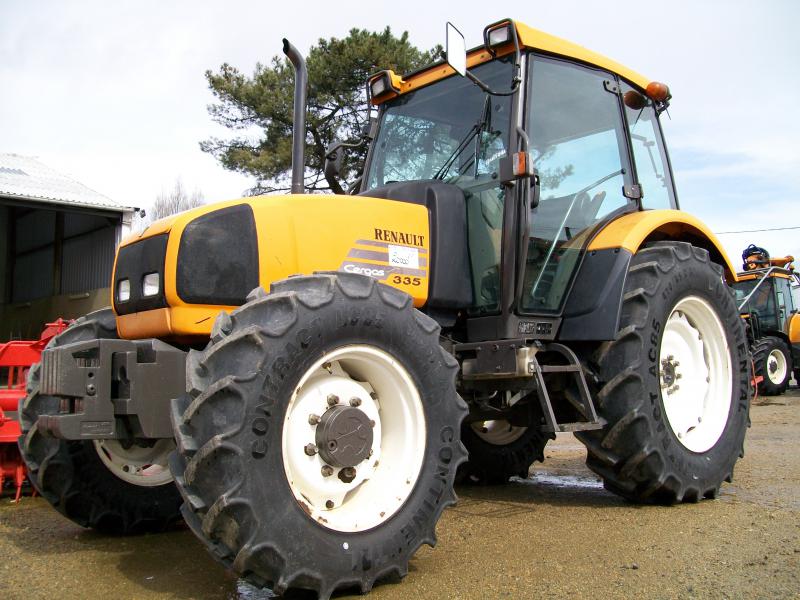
(319, 441)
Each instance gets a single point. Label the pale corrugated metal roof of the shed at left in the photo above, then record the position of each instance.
(26, 178)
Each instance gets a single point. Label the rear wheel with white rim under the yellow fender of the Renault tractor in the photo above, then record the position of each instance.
(674, 383)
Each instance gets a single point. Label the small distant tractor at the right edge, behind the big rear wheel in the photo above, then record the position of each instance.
(765, 299)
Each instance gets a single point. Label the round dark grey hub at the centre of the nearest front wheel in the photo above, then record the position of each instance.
(344, 436)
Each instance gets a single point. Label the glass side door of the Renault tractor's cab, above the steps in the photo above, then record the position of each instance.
(579, 143)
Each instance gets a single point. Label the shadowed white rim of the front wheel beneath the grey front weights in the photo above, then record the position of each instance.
(145, 467)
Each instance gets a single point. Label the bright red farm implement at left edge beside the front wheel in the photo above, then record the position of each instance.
(16, 358)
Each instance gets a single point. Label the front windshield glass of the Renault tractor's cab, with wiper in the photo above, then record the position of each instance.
(454, 132)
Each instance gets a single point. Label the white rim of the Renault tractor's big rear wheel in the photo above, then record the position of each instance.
(695, 374)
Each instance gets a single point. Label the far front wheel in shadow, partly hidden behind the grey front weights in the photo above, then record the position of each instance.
(98, 484)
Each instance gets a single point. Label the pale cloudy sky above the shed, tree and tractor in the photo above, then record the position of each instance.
(114, 95)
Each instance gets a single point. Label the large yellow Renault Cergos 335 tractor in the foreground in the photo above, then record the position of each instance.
(302, 377)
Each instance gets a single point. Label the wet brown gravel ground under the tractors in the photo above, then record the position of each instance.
(556, 534)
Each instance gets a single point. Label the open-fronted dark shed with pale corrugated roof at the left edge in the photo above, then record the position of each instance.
(57, 244)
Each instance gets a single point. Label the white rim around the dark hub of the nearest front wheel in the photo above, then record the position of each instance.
(384, 480)
